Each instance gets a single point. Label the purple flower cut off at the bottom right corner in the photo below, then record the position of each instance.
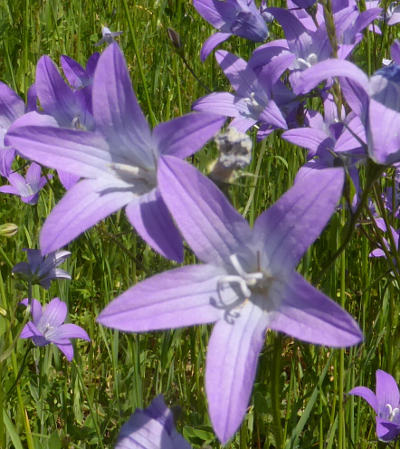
(386, 404)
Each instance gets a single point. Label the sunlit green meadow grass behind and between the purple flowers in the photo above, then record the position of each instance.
(298, 398)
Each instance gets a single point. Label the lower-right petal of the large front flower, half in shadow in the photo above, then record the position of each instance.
(309, 315)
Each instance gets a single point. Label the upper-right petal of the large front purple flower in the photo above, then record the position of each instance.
(292, 224)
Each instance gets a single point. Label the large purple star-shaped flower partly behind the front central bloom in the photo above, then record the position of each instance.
(120, 161)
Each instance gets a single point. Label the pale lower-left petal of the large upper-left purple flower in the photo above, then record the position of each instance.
(83, 206)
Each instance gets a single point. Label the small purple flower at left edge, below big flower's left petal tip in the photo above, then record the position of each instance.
(27, 188)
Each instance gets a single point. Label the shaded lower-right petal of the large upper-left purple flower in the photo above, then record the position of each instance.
(153, 222)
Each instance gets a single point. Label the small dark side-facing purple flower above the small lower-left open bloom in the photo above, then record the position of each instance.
(42, 269)
